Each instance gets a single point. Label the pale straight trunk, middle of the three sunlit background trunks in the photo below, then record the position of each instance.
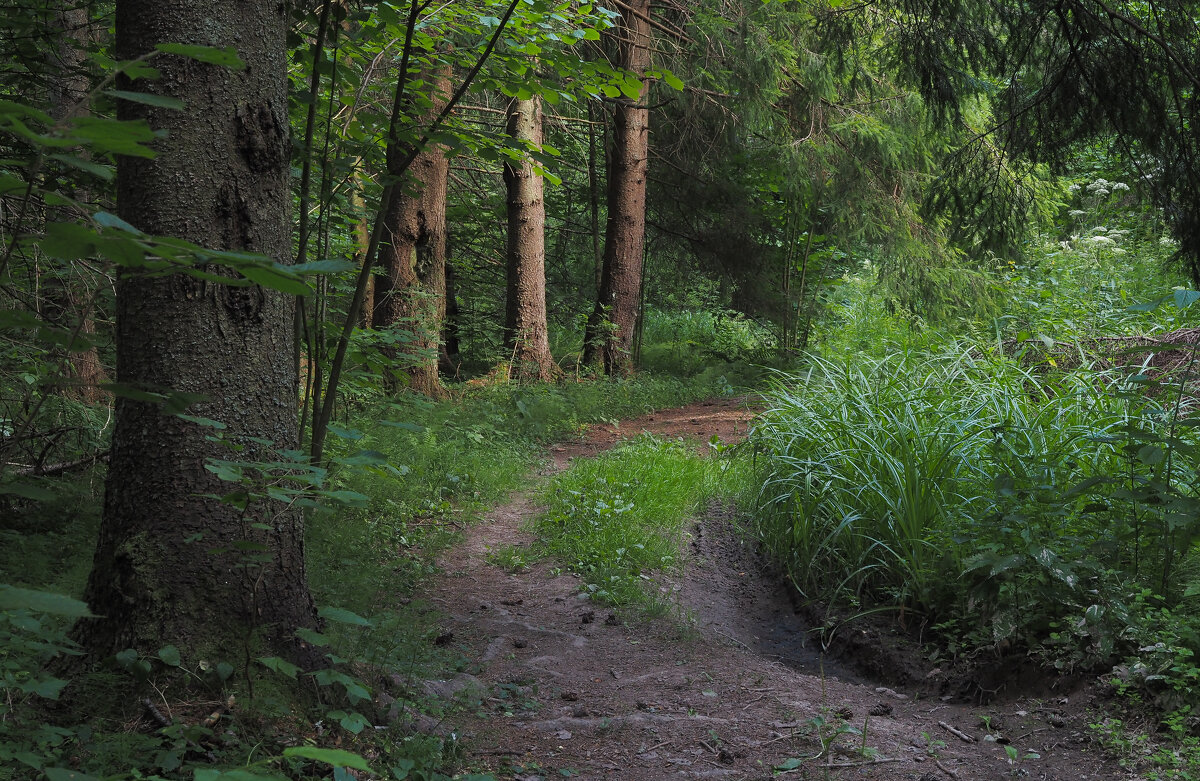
(526, 337)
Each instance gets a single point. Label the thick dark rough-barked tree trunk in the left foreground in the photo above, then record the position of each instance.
(175, 566)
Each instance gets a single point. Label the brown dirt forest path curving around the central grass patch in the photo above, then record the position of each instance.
(563, 688)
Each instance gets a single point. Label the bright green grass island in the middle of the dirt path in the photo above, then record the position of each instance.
(620, 521)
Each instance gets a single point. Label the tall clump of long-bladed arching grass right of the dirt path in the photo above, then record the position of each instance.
(975, 492)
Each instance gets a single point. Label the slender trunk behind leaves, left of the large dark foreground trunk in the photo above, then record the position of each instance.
(69, 304)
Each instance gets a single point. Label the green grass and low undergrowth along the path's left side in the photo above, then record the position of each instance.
(412, 476)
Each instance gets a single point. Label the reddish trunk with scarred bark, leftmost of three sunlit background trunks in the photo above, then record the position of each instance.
(411, 295)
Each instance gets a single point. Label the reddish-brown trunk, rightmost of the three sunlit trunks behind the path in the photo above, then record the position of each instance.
(609, 339)
